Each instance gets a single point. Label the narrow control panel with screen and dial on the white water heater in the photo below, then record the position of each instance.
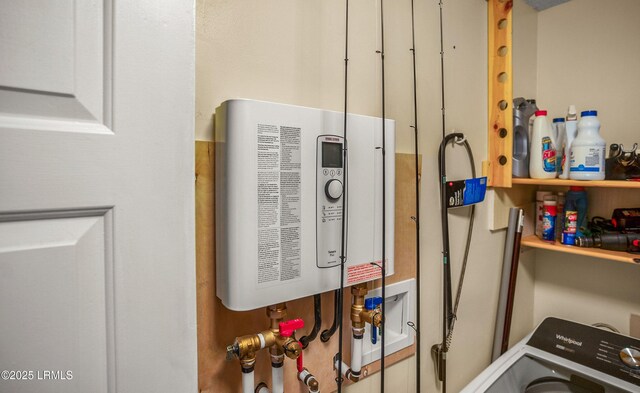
(329, 199)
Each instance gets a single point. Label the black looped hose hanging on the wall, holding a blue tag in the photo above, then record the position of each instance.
(449, 311)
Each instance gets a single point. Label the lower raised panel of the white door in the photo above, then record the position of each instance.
(64, 260)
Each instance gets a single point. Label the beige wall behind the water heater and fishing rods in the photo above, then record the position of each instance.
(292, 52)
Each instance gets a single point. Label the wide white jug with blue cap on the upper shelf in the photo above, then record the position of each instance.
(588, 149)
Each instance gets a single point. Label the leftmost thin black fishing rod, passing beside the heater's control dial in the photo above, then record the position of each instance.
(343, 235)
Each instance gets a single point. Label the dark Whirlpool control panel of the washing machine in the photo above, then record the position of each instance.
(602, 350)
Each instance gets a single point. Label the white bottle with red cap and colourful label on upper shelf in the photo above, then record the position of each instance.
(542, 161)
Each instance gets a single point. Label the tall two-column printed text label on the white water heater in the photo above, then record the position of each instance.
(278, 203)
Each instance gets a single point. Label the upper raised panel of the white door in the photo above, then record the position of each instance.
(65, 86)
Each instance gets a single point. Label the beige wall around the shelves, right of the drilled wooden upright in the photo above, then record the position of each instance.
(584, 52)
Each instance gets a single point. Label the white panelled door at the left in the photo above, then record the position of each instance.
(97, 278)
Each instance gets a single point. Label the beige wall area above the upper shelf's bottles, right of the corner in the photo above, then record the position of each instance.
(589, 55)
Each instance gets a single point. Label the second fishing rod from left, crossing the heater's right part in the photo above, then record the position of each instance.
(384, 203)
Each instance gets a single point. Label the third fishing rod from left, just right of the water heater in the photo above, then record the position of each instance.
(417, 179)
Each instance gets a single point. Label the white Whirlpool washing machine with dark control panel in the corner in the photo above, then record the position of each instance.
(563, 356)
